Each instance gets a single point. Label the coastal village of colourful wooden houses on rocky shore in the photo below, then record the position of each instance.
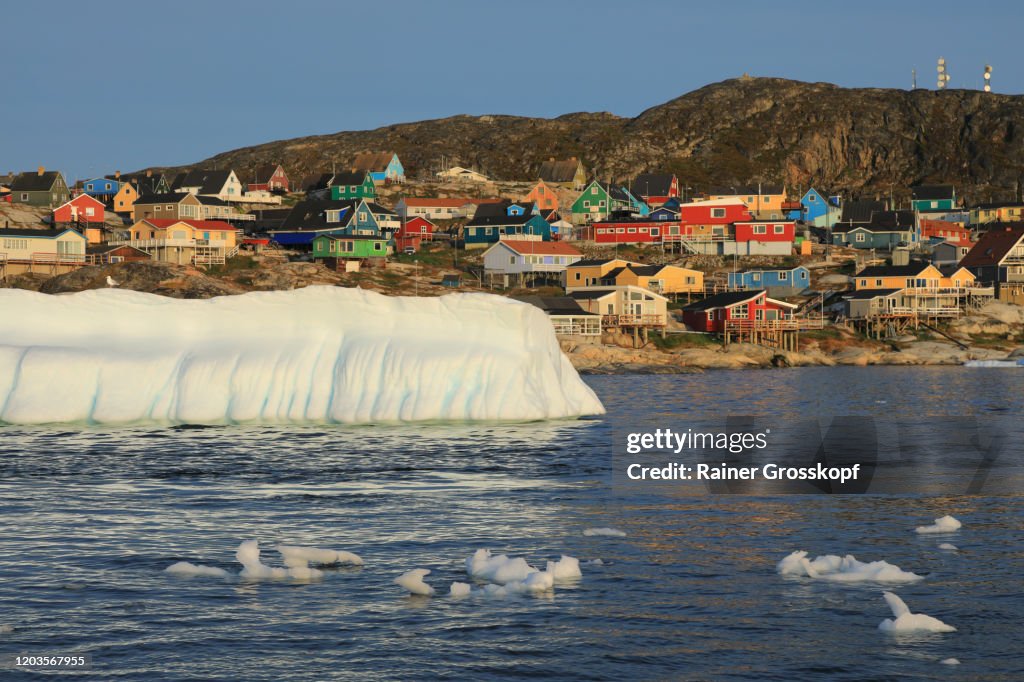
(643, 272)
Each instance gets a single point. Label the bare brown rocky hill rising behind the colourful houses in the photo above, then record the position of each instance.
(861, 142)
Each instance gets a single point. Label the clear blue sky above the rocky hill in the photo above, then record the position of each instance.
(94, 89)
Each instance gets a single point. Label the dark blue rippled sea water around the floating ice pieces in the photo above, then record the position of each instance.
(91, 519)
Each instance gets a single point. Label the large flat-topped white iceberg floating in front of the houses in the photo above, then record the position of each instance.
(319, 355)
